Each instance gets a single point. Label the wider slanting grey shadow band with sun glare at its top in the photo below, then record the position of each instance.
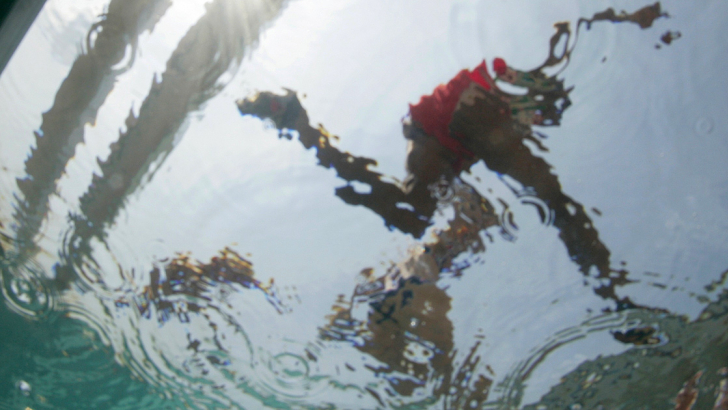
(215, 45)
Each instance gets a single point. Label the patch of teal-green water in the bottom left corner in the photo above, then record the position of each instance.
(66, 366)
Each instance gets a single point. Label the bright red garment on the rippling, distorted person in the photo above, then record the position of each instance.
(434, 112)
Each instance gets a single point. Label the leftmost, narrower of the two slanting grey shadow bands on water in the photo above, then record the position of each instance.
(81, 94)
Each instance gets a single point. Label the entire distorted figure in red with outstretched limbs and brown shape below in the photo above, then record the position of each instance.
(400, 318)
